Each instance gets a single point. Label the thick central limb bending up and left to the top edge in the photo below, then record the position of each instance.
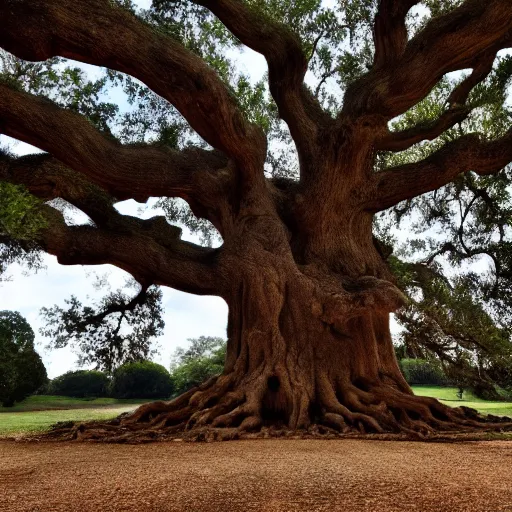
(287, 66)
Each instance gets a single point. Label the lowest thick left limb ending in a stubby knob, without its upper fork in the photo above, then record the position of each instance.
(180, 265)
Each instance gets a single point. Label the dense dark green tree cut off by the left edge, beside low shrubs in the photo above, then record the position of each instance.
(21, 368)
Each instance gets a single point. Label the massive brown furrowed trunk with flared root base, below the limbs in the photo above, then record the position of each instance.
(309, 350)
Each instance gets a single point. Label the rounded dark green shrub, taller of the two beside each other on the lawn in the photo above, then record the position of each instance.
(143, 379)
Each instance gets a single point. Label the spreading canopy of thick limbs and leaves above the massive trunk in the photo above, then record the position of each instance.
(393, 106)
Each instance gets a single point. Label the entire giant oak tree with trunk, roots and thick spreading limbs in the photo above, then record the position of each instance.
(309, 286)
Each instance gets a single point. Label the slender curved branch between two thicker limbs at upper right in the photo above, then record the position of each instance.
(456, 113)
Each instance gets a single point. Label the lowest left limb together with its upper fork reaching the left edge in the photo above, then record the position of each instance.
(157, 254)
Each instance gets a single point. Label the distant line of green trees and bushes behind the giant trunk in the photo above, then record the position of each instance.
(22, 372)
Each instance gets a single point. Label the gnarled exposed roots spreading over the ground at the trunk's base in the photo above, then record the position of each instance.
(216, 411)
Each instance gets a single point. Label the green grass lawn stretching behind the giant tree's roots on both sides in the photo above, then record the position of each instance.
(37, 413)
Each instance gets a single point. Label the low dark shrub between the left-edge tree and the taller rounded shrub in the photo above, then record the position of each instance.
(80, 384)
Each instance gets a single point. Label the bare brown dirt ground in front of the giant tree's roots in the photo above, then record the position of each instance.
(259, 475)
